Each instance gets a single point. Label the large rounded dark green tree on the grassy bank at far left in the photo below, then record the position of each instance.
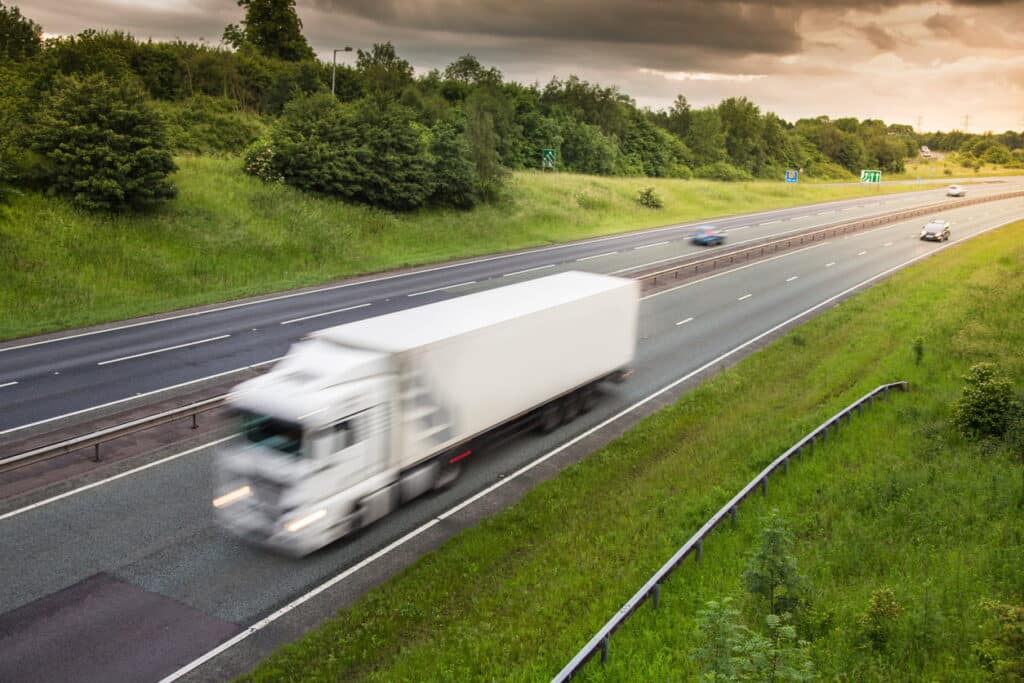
(106, 149)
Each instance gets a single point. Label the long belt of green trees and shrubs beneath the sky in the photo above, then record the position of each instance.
(387, 137)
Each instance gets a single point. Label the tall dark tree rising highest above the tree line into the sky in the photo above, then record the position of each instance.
(273, 28)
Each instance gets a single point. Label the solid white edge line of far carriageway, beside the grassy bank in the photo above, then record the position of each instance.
(332, 288)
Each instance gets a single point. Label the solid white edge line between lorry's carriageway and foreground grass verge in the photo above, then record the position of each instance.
(267, 621)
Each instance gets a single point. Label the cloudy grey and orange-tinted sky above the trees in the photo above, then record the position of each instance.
(902, 61)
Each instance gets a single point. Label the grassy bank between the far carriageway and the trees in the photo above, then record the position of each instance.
(230, 236)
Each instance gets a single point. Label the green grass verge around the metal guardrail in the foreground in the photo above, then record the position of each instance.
(900, 500)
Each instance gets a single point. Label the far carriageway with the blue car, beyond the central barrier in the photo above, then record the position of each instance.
(44, 380)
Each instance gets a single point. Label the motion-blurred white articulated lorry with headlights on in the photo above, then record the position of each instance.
(361, 418)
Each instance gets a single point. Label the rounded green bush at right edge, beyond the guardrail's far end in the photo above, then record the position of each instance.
(988, 405)
